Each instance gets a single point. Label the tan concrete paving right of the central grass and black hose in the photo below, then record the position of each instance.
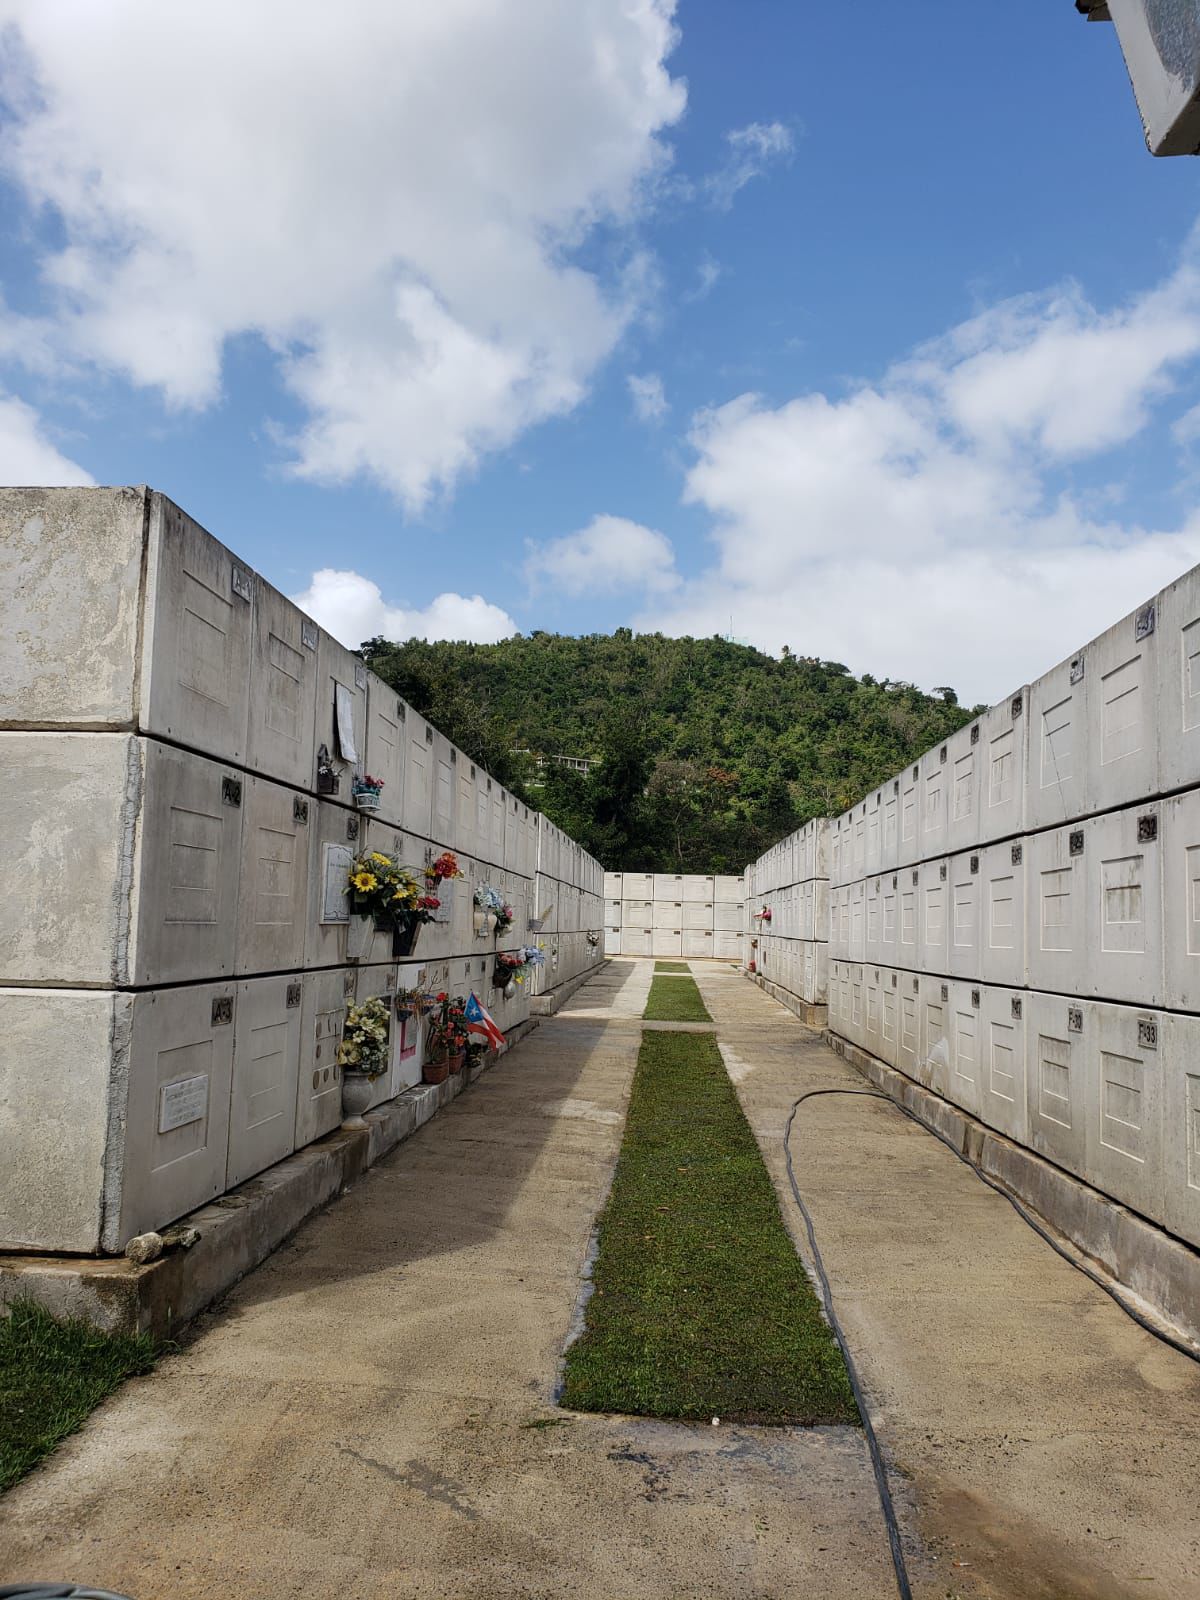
(1044, 1446)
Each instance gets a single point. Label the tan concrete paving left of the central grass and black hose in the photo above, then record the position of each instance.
(372, 1414)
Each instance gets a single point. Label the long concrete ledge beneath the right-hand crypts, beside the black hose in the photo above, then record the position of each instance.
(1154, 1273)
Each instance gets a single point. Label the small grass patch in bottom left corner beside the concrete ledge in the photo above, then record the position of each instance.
(54, 1374)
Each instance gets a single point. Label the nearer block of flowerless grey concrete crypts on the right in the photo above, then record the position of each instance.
(1015, 919)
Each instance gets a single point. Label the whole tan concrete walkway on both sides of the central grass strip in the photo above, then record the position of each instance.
(372, 1414)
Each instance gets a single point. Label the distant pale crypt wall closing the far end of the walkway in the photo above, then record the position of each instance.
(674, 916)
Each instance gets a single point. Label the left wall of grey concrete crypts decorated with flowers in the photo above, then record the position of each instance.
(198, 775)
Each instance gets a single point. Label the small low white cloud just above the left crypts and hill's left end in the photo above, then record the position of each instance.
(353, 609)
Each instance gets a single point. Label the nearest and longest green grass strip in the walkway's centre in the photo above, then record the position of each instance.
(700, 1306)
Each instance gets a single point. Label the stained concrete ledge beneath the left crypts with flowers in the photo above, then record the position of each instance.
(238, 1233)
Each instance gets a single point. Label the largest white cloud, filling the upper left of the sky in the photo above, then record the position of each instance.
(388, 193)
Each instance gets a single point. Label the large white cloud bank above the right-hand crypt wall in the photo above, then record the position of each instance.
(921, 527)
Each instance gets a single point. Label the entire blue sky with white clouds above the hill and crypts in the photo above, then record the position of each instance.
(868, 330)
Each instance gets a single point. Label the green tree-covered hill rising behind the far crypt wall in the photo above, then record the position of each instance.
(710, 751)
